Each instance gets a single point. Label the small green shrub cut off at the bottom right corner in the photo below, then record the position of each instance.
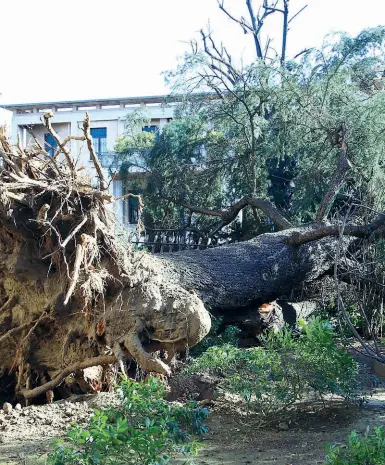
(360, 450)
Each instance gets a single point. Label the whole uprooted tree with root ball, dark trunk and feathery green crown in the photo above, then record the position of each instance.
(75, 295)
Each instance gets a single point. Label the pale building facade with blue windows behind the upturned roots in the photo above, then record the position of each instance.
(108, 117)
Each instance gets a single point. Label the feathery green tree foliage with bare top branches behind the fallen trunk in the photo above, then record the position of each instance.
(304, 133)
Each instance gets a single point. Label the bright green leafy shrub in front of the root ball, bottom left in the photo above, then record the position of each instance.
(145, 430)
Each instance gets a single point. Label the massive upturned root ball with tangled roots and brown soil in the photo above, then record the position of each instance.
(73, 295)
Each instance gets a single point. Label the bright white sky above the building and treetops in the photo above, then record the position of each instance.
(77, 49)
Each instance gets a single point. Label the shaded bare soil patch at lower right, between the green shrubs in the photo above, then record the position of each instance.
(234, 440)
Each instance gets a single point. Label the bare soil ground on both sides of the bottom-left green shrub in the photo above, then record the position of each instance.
(233, 439)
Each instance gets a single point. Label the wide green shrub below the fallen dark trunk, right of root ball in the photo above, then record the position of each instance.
(286, 370)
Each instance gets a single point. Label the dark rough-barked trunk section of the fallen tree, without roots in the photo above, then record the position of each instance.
(259, 270)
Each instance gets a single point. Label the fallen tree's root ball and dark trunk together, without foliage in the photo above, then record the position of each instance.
(73, 295)
